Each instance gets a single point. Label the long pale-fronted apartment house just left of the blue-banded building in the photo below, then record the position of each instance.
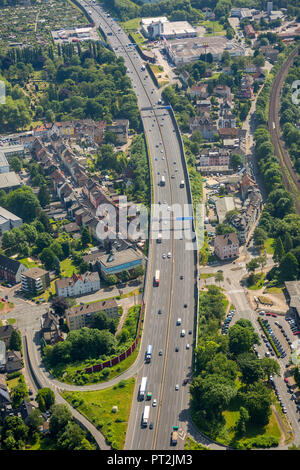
(78, 285)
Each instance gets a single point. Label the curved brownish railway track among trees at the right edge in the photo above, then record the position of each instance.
(290, 178)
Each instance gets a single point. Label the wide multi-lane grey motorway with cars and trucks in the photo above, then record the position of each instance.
(177, 272)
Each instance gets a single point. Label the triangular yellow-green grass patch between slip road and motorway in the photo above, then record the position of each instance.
(97, 407)
